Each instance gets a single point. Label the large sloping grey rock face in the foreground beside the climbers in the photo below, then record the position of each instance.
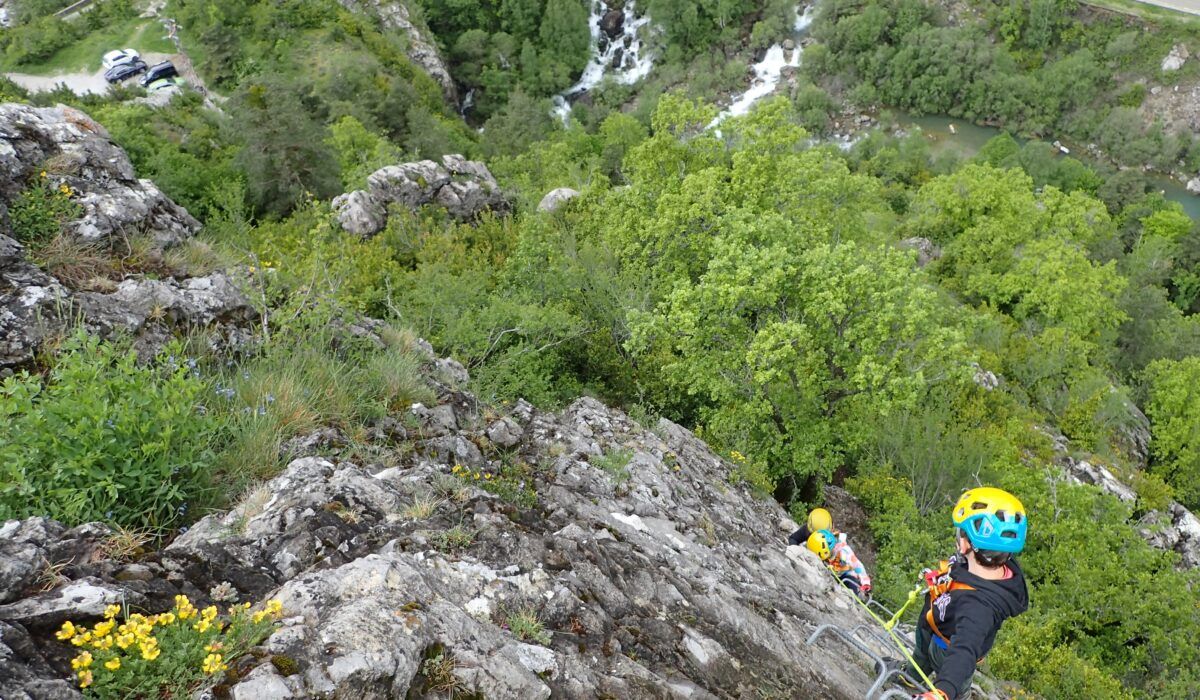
(652, 572)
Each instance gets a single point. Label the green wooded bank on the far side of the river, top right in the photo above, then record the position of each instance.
(1039, 68)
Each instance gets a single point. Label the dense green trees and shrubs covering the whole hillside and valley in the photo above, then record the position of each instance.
(752, 285)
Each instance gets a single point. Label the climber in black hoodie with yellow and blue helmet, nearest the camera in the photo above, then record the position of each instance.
(973, 595)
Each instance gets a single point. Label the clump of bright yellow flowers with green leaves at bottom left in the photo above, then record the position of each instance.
(172, 655)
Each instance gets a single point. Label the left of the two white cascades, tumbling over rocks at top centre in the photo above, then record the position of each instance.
(623, 53)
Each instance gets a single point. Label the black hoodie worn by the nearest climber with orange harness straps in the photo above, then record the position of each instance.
(971, 620)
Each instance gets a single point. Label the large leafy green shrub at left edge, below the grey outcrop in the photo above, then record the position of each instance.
(104, 438)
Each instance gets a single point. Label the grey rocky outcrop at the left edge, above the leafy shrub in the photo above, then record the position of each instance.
(76, 153)
